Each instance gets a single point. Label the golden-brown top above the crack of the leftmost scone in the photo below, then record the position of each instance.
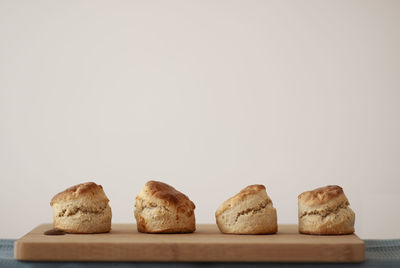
(89, 191)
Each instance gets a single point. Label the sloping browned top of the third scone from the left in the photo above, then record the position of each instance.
(257, 191)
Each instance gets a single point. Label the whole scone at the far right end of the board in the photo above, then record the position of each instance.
(325, 211)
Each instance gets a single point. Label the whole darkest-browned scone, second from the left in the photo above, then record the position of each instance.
(160, 208)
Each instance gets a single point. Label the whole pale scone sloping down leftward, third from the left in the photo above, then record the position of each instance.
(249, 212)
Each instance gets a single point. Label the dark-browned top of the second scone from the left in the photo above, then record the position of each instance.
(164, 193)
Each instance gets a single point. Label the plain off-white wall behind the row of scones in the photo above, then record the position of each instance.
(209, 96)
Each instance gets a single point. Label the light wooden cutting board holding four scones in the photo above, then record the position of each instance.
(124, 243)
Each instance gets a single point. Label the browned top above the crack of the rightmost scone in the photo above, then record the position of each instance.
(323, 196)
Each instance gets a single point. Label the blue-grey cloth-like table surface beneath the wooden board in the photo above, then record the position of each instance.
(379, 253)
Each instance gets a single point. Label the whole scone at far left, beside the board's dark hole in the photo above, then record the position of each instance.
(82, 209)
